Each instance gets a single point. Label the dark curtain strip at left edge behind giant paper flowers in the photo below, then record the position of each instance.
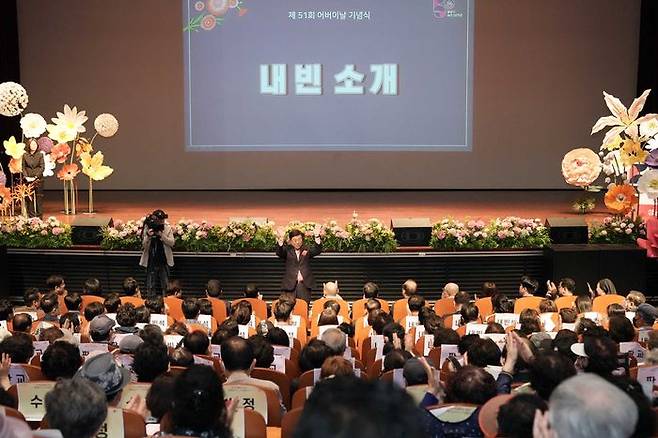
(9, 68)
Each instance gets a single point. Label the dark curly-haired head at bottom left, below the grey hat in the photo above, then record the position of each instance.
(77, 408)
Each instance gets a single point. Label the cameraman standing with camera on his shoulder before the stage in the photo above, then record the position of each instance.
(157, 256)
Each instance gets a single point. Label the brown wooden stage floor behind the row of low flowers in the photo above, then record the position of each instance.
(282, 206)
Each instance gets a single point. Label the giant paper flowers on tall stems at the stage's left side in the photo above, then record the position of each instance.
(60, 143)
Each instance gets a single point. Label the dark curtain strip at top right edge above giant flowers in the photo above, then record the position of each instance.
(647, 72)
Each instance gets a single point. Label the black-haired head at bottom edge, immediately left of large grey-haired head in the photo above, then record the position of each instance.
(516, 417)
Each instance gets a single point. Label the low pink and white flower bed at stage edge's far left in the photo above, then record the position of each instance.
(22, 232)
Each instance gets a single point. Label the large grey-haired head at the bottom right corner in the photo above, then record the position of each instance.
(587, 406)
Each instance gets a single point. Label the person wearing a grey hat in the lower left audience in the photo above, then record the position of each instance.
(102, 370)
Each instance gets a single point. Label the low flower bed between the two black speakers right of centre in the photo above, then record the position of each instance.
(500, 233)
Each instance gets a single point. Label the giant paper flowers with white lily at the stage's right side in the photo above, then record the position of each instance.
(627, 156)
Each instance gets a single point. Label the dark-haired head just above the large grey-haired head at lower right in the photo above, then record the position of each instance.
(548, 370)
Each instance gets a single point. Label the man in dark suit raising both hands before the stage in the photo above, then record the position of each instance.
(298, 277)
